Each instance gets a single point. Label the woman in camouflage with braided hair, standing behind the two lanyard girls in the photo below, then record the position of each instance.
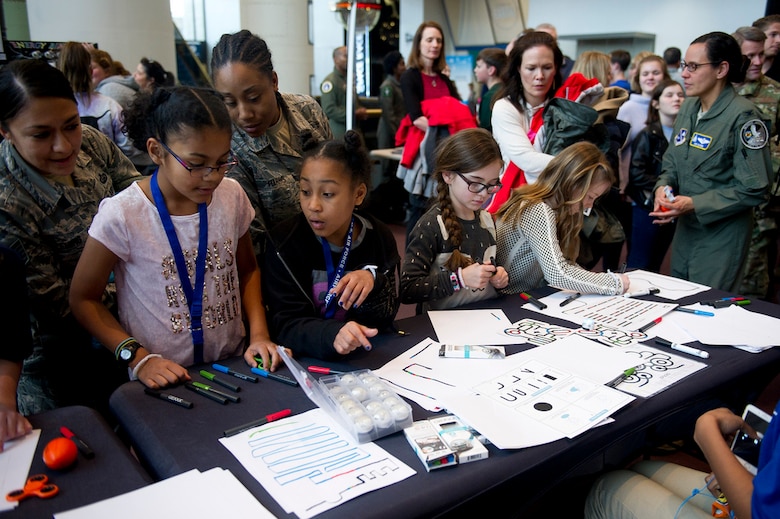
(270, 129)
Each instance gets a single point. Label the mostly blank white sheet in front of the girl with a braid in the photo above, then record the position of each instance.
(471, 327)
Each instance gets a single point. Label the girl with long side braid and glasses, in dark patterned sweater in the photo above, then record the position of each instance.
(450, 258)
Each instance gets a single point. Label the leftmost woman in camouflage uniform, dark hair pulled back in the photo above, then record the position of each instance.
(53, 175)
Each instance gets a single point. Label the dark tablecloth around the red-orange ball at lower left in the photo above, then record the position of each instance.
(113, 470)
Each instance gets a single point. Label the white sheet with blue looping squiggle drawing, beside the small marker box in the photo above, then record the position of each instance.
(309, 464)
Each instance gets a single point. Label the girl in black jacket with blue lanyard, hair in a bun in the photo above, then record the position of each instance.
(330, 271)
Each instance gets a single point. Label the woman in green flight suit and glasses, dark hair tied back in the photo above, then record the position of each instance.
(718, 166)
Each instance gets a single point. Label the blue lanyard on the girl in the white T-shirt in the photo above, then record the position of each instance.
(194, 297)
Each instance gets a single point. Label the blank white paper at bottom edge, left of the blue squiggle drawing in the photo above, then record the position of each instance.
(211, 494)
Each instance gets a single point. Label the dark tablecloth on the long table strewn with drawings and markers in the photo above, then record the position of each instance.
(171, 439)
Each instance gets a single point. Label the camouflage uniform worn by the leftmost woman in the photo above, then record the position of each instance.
(46, 223)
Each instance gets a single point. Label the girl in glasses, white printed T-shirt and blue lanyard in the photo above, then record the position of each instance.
(178, 243)
